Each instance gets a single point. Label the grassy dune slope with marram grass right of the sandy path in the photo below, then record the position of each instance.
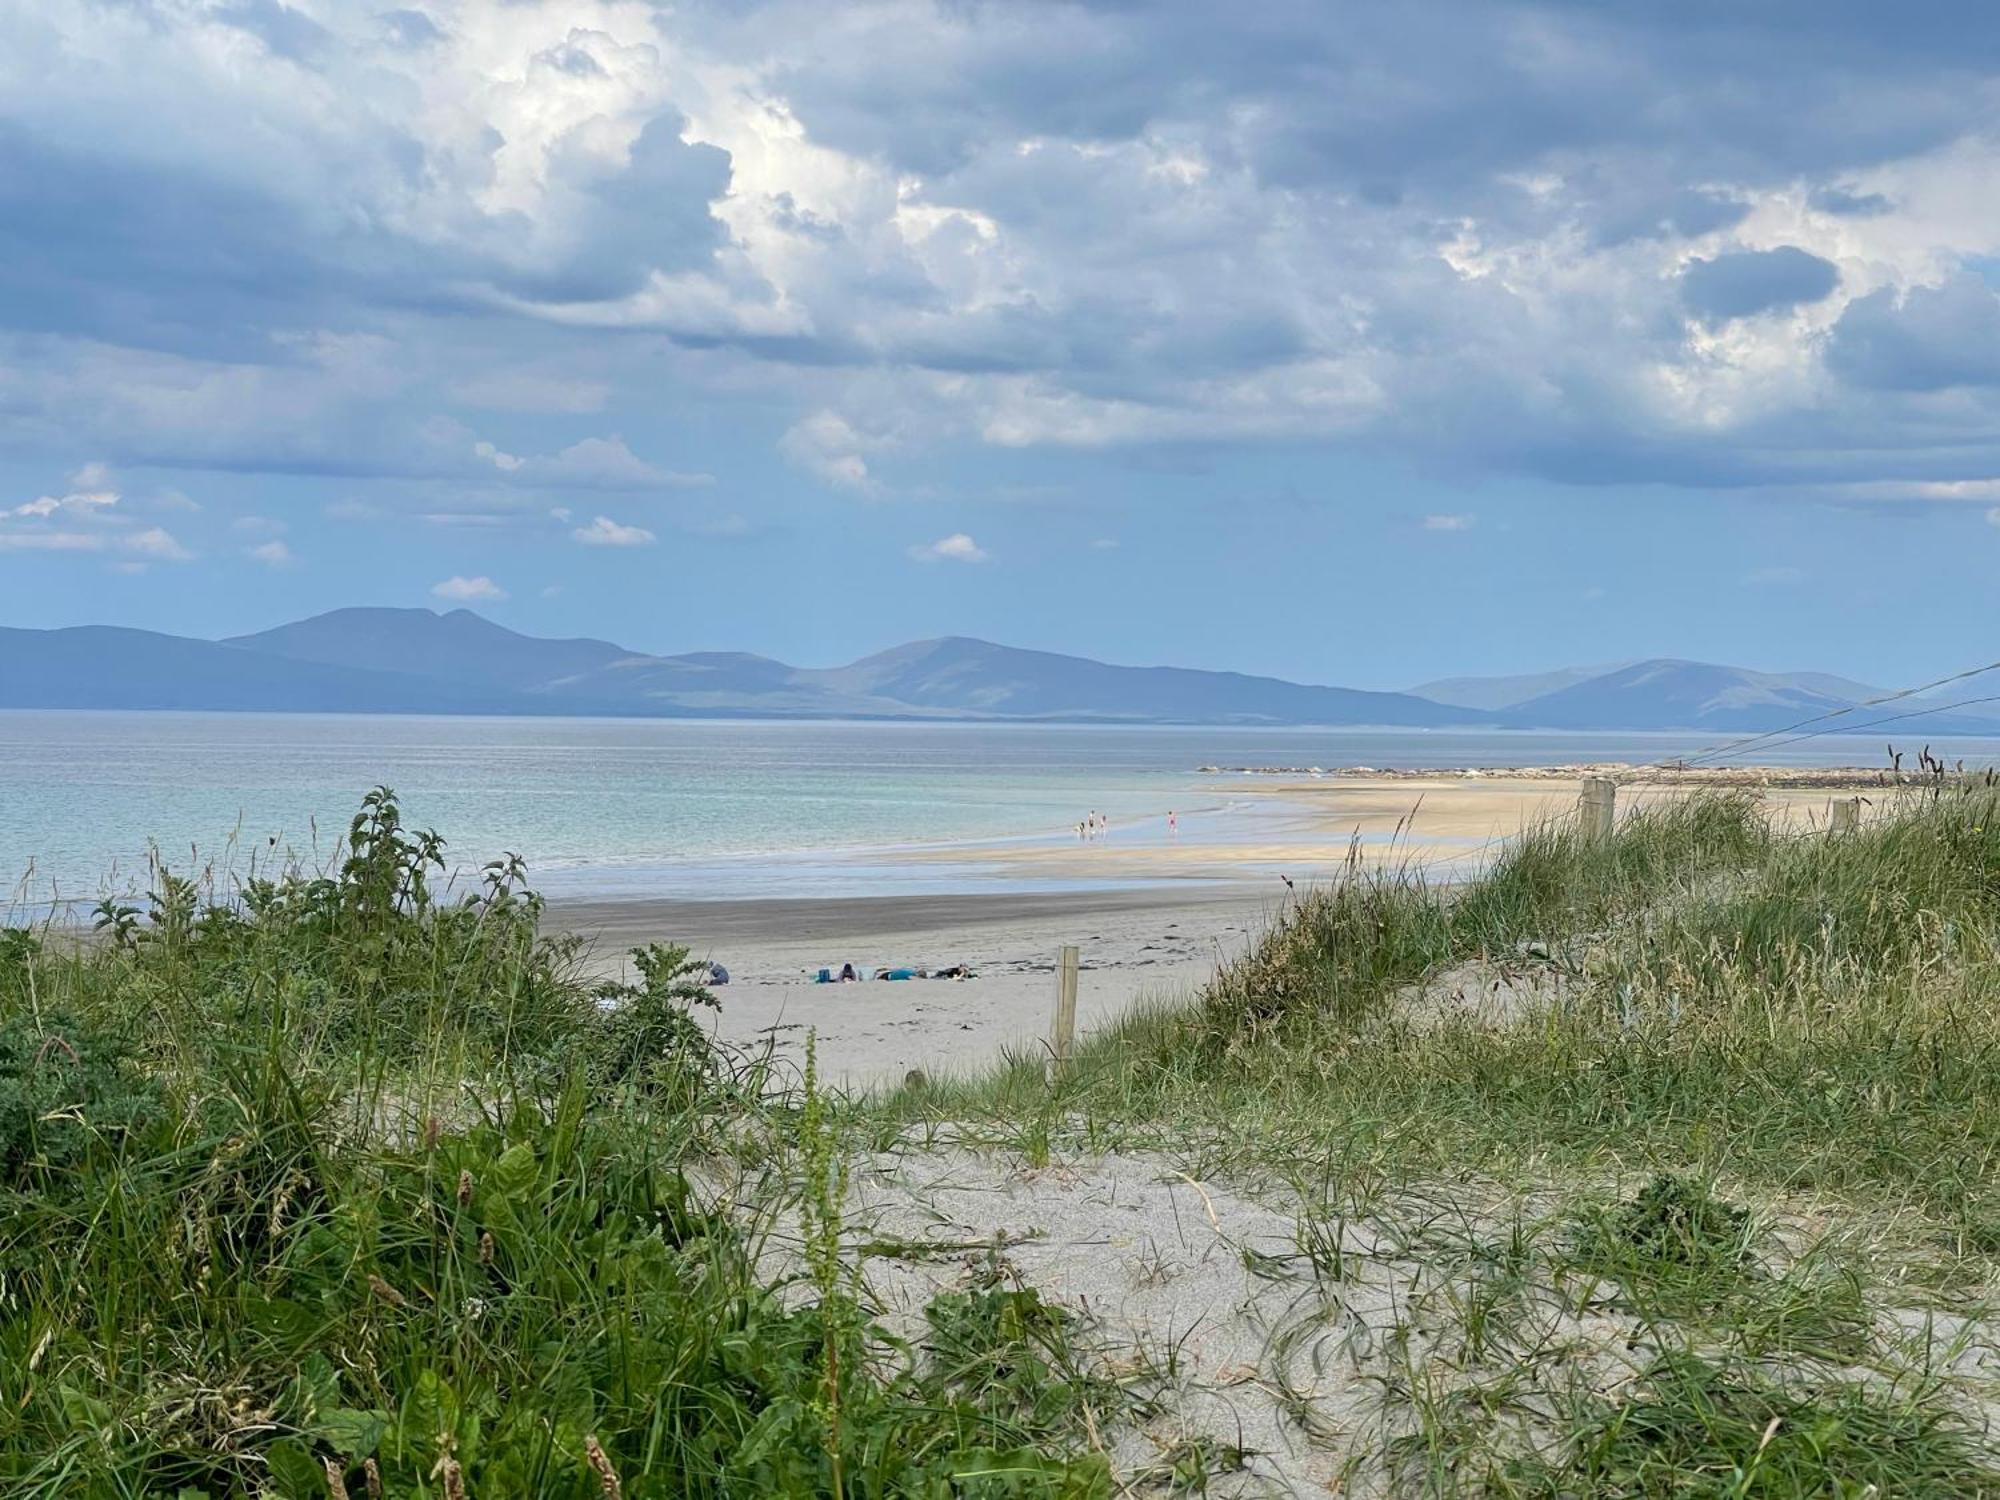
(1673, 1137)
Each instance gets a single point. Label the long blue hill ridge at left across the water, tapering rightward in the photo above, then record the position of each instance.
(421, 661)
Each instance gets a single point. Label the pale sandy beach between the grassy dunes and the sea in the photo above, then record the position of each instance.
(1161, 913)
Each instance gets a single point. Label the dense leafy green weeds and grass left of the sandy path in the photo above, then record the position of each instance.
(345, 1191)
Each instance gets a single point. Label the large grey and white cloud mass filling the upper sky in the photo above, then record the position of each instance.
(925, 229)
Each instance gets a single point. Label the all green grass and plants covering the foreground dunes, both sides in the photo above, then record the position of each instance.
(1649, 1167)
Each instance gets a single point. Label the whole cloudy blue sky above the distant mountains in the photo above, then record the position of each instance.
(1349, 343)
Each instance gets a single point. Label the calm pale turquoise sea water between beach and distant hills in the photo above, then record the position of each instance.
(663, 807)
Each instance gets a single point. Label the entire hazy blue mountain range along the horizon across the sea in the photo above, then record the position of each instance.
(459, 663)
